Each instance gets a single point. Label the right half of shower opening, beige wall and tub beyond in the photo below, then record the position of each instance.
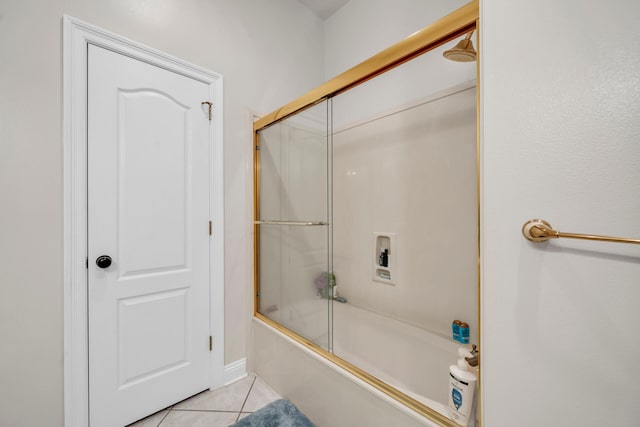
(405, 236)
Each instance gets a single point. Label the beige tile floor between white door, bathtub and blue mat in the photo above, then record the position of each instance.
(218, 408)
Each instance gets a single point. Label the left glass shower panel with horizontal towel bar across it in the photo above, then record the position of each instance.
(294, 232)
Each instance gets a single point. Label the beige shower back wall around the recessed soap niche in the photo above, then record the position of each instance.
(412, 173)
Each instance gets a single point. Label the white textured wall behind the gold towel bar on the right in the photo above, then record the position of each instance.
(560, 135)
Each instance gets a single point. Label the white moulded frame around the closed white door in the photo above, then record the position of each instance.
(76, 36)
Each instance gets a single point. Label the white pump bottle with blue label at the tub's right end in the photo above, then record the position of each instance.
(462, 387)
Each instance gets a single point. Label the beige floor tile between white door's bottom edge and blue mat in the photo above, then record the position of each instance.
(229, 398)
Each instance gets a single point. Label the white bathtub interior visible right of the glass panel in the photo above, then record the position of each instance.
(408, 358)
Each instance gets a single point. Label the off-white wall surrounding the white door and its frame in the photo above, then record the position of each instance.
(269, 53)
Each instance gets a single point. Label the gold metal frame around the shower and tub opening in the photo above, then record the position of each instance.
(448, 28)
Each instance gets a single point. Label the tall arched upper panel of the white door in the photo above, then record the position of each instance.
(152, 172)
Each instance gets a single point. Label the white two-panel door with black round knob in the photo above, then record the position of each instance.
(148, 210)
